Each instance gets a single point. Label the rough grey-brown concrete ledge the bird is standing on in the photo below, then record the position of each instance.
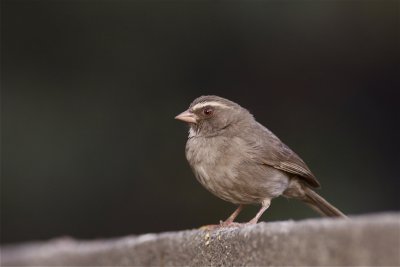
(370, 240)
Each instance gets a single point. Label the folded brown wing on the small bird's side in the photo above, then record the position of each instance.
(273, 152)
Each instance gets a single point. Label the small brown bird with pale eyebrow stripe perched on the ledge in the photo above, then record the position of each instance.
(240, 161)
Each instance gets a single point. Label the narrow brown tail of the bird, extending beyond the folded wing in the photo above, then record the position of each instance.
(319, 204)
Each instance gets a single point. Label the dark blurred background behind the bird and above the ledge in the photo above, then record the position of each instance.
(89, 90)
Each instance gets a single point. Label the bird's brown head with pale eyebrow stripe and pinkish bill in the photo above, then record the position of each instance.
(209, 115)
